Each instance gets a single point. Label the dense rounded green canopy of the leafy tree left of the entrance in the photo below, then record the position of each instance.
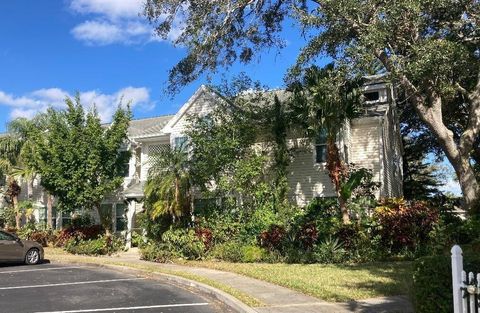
(80, 161)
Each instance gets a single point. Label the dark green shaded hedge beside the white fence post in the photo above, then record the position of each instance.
(432, 282)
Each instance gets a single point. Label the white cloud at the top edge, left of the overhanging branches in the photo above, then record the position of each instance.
(115, 21)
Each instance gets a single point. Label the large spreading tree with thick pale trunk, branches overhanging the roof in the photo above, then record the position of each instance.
(428, 48)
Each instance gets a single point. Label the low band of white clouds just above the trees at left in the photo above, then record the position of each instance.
(39, 100)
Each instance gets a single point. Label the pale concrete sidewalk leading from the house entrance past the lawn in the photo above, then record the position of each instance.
(276, 299)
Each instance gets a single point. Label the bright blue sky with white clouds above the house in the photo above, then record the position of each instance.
(102, 49)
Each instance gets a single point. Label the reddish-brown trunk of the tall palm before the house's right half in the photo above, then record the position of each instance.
(336, 169)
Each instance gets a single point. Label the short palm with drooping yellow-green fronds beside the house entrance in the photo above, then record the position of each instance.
(167, 191)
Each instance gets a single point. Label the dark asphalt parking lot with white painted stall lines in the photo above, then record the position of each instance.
(54, 288)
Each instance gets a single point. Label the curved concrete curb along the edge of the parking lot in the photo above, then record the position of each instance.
(228, 300)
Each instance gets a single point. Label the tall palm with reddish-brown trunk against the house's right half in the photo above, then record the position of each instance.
(324, 103)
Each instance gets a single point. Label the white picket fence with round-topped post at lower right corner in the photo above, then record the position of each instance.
(466, 288)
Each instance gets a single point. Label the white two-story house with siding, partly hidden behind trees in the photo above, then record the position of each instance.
(371, 141)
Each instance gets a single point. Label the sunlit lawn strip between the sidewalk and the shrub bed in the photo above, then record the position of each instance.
(328, 282)
